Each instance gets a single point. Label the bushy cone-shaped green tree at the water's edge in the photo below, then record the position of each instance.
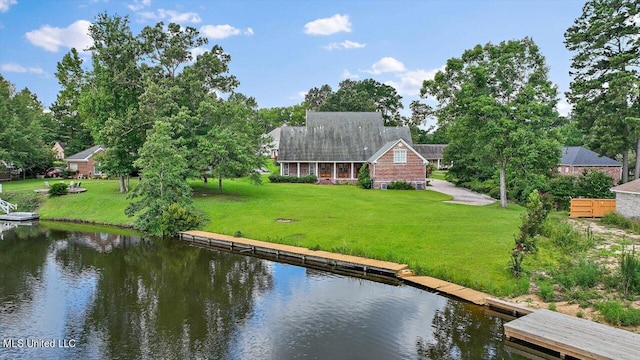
(163, 194)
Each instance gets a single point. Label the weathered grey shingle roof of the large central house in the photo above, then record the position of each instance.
(338, 136)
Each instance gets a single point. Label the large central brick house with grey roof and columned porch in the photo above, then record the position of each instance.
(335, 145)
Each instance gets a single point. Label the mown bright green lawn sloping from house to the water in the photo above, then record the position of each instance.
(465, 244)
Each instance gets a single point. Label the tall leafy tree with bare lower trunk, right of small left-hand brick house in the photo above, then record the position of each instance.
(110, 101)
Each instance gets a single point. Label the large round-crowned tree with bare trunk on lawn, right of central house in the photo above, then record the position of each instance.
(498, 105)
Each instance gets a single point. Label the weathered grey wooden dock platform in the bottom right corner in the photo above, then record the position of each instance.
(575, 337)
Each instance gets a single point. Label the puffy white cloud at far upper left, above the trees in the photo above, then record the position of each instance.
(52, 38)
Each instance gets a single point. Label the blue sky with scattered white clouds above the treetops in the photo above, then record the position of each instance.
(281, 49)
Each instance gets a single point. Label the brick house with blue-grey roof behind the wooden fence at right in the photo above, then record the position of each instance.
(575, 160)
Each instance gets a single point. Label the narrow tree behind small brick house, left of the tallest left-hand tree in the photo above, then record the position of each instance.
(70, 125)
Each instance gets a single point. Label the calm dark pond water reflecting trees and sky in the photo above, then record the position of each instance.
(103, 296)
